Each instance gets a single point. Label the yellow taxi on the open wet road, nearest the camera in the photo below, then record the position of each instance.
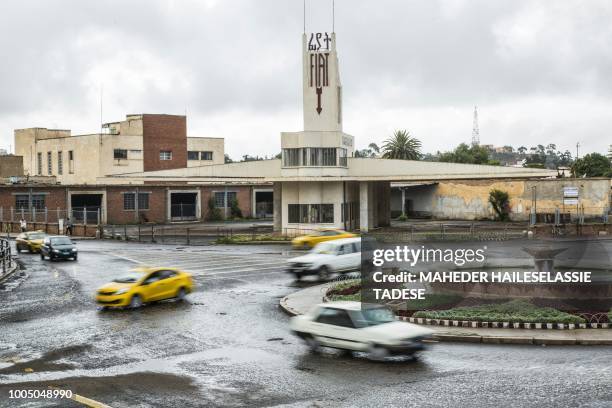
(144, 285)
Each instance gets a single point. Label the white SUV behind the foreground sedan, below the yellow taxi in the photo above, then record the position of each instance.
(340, 255)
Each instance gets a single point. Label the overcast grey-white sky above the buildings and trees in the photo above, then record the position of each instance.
(539, 71)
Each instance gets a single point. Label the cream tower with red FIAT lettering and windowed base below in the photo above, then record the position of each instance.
(322, 149)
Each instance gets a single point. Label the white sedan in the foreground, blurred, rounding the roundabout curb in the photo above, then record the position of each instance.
(348, 326)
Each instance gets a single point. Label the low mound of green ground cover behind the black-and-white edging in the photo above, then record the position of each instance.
(515, 311)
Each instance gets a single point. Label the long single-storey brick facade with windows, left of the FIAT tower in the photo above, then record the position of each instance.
(120, 204)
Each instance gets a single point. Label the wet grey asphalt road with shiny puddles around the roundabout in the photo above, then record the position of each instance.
(228, 345)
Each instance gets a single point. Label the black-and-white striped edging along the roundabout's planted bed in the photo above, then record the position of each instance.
(504, 325)
